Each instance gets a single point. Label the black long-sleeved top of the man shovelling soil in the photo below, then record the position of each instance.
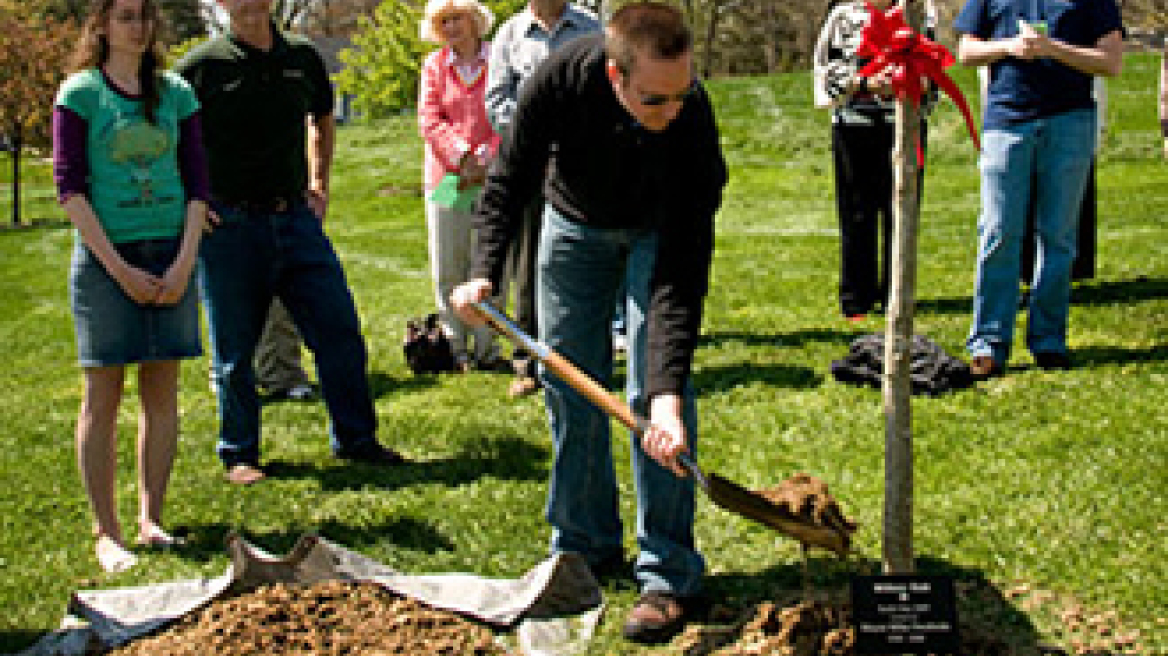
(573, 138)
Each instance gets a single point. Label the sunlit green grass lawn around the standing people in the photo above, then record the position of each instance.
(1044, 493)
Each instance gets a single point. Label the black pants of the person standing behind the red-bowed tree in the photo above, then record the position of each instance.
(864, 198)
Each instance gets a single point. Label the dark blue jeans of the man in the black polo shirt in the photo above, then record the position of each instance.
(249, 260)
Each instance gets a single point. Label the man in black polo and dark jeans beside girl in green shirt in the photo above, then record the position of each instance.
(260, 89)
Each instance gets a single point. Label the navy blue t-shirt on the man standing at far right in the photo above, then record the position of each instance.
(1021, 90)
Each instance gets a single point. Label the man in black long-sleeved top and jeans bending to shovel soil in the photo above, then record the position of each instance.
(622, 139)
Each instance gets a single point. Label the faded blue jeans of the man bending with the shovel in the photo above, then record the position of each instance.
(580, 273)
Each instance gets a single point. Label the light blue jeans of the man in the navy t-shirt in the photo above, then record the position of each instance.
(1049, 158)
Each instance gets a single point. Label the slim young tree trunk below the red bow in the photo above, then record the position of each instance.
(898, 392)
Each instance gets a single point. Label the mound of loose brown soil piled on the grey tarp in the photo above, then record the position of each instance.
(331, 618)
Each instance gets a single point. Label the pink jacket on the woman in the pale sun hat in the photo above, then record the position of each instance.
(453, 117)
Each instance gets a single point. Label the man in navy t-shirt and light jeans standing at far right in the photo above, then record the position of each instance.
(1038, 139)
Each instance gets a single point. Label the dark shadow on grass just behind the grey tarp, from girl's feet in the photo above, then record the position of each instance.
(207, 542)
